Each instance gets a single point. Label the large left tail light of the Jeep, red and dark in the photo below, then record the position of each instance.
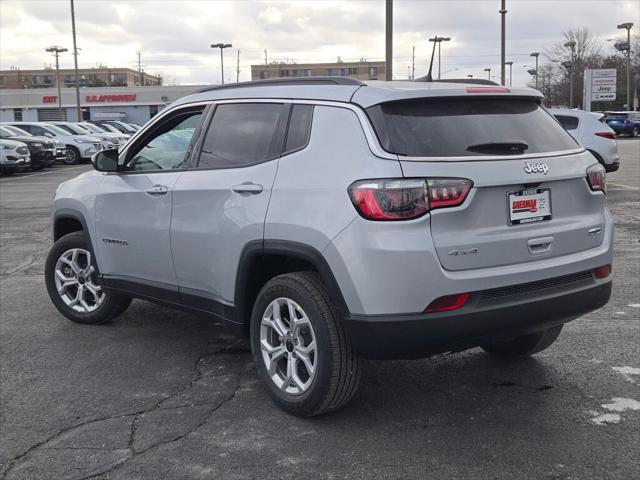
(405, 199)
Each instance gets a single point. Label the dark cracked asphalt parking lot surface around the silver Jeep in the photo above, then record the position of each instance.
(161, 394)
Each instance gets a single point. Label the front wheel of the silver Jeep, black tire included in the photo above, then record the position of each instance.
(72, 257)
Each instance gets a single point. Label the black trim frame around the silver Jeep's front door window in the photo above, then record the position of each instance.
(143, 138)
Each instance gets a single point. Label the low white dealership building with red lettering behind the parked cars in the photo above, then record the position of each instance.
(129, 104)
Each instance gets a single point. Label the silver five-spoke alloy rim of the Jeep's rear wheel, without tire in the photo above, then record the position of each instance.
(288, 346)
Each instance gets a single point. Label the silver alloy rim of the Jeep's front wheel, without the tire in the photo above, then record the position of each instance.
(75, 281)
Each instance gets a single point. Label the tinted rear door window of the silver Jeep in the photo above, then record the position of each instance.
(243, 134)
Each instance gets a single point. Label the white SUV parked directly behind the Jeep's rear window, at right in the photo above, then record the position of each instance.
(592, 134)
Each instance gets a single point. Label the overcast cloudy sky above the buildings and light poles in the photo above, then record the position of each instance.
(174, 36)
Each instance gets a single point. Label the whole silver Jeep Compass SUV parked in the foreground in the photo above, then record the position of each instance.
(332, 219)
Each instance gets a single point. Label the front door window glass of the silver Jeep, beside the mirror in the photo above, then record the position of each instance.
(166, 147)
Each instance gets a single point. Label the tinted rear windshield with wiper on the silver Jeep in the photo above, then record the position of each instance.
(467, 126)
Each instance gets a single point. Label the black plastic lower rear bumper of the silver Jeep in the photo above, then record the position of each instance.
(486, 315)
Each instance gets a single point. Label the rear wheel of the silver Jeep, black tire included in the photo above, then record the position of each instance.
(336, 367)
